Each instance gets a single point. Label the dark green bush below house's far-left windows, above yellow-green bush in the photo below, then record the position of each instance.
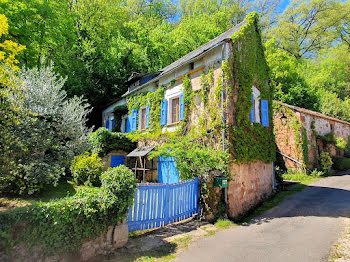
(103, 141)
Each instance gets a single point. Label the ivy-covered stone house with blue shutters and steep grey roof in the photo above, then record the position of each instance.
(218, 93)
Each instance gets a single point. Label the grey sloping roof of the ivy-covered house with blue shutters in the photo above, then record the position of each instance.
(194, 54)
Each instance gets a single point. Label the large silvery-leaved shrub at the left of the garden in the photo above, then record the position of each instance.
(48, 136)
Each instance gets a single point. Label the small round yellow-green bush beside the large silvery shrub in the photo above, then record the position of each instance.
(86, 169)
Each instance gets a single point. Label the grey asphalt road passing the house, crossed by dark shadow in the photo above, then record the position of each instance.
(302, 228)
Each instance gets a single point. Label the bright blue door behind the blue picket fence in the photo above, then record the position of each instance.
(167, 171)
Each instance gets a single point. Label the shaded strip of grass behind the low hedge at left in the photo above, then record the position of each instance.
(50, 193)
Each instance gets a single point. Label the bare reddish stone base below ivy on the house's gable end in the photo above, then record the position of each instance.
(251, 184)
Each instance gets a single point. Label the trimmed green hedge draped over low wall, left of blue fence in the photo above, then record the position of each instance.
(63, 225)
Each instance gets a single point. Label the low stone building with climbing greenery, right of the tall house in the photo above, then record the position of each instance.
(300, 135)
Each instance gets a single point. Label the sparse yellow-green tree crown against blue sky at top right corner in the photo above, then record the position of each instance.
(307, 26)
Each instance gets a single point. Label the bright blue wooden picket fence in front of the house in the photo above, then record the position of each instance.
(157, 205)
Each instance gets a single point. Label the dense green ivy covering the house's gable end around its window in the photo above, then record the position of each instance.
(250, 141)
